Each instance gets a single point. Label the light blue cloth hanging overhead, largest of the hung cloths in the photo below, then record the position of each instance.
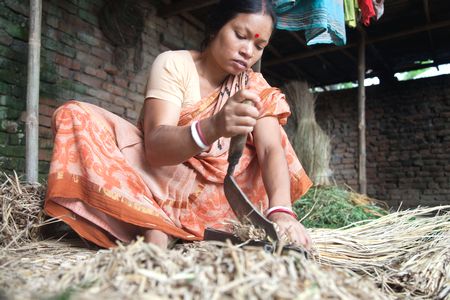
(322, 20)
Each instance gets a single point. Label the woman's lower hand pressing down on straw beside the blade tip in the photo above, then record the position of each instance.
(291, 227)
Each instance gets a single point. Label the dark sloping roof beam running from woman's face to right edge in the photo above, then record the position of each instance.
(307, 54)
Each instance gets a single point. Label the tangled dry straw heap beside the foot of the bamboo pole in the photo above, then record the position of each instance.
(21, 211)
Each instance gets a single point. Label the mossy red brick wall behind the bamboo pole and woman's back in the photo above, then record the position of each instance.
(76, 63)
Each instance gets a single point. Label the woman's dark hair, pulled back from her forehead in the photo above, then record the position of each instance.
(226, 10)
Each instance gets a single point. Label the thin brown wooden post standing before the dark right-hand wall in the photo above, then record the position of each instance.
(362, 112)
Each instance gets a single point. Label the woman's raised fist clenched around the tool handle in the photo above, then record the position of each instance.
(237, 117)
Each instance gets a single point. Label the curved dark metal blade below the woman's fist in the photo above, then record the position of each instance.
(244, 208)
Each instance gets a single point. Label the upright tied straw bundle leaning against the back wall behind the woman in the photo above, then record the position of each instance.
(310, 142)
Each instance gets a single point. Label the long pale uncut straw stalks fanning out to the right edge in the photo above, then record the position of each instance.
(407, 253)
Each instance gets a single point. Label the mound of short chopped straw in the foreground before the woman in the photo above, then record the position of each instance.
(204, 270)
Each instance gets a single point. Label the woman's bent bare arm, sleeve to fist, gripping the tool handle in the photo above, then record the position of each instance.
(169, 144)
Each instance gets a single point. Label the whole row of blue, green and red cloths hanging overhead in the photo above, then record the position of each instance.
(324, 20)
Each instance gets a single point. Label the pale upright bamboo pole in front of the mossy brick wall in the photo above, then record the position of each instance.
(32, 115)
